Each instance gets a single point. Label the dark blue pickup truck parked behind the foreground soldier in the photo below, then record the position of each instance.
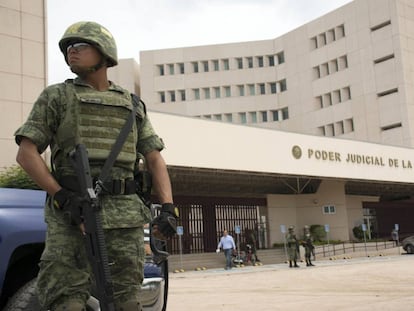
(22, 236)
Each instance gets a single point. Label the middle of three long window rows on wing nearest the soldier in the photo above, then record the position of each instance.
(223, 91)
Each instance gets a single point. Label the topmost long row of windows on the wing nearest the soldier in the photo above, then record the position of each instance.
(222, 64)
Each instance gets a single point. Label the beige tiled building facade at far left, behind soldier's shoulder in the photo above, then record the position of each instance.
(23, 67)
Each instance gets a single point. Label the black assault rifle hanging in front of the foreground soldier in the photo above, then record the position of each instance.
(94, 235)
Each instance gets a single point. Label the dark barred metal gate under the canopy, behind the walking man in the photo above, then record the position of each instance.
(204, 219)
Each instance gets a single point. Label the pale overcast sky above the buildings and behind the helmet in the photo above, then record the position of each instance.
(139, 25)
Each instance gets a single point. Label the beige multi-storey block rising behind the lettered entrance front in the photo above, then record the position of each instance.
(346, 74)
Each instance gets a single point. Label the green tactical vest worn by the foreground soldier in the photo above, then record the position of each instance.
(95, 119)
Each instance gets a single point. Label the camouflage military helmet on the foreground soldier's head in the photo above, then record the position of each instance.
(94, 34)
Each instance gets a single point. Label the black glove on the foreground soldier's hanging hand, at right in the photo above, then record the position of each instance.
(165, 224)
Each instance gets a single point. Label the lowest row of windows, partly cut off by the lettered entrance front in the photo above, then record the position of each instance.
(251, 117)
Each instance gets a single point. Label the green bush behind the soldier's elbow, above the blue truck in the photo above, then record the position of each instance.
(16, 177)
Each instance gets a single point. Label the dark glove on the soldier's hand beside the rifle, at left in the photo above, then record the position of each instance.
(70, 204)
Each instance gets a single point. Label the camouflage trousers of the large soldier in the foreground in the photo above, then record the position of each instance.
(65, 273)
